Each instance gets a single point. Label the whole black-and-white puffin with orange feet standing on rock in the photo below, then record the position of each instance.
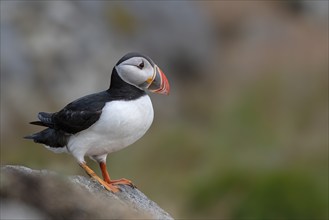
(102, 123)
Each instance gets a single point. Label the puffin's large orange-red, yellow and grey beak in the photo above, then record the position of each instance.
(159, 82)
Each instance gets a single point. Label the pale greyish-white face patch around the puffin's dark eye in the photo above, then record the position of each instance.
(135, 70)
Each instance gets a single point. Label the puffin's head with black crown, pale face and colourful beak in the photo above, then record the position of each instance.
(140, 71)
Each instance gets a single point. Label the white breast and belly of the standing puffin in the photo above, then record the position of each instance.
(121, 124)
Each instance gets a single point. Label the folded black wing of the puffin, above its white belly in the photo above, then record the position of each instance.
(76, 116)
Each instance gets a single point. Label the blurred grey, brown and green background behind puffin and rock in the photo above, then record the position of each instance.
(244, 132)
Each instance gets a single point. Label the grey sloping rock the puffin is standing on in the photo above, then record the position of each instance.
(42, 194)
